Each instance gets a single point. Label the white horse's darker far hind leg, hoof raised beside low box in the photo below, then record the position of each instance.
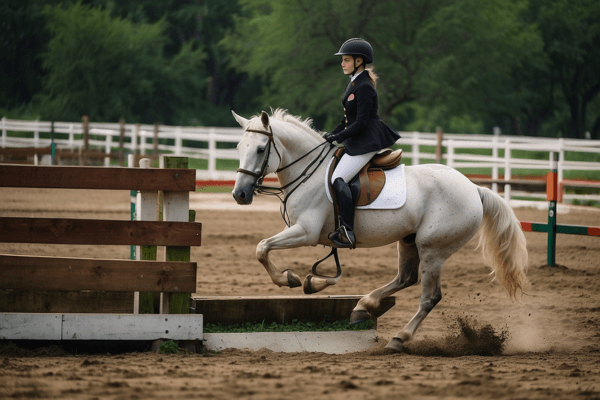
(408, 275)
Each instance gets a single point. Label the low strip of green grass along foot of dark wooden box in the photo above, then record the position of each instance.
(294, 326)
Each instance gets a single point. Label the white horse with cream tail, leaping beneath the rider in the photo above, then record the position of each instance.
(443, 211)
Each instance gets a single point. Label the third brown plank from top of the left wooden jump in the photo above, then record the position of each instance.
(50, 273)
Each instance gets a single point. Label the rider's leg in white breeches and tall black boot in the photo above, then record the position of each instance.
(348, 167)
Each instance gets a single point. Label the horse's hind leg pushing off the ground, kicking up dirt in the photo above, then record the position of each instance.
(431, 294)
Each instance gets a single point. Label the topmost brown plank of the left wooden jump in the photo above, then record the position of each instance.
(117, 178)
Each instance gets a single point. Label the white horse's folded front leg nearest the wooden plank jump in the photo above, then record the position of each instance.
(295, 236)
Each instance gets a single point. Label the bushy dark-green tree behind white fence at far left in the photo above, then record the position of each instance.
(109, 68)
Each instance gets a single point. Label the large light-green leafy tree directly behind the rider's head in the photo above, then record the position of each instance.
(456, 53)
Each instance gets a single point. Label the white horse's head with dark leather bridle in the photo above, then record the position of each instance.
(258, 156)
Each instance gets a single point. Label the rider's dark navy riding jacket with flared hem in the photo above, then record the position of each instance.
(361, 130)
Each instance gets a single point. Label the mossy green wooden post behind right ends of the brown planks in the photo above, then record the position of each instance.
(179, 303)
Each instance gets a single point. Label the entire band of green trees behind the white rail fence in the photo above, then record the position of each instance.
(526, 66)
